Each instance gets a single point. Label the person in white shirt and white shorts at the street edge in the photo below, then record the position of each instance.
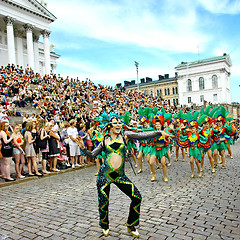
(73, 146)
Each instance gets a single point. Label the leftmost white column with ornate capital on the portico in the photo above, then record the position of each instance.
(10, 40)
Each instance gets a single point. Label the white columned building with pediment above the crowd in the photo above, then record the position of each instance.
(22, 22)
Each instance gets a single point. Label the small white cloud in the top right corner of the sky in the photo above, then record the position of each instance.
(221, 6)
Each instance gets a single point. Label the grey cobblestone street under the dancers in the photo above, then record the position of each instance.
(64, 206)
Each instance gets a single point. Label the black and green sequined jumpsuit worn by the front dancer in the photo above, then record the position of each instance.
(107, 175)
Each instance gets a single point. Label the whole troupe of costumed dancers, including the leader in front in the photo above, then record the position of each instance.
(205, 132)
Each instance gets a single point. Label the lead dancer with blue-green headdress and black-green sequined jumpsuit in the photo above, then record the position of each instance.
(113, 170)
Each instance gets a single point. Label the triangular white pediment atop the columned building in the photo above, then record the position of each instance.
(32, 6)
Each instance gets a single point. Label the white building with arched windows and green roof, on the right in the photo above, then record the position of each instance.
(204, 80)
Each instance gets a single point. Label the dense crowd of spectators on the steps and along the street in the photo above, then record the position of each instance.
(66, 110)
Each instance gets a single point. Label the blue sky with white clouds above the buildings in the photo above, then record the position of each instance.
(101, 39)
